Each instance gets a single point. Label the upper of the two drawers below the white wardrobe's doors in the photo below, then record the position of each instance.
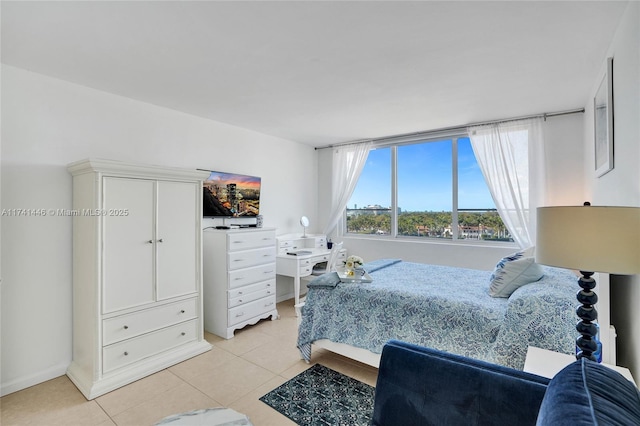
(126, 326)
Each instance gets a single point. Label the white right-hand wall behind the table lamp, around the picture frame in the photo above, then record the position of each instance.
(621, 186)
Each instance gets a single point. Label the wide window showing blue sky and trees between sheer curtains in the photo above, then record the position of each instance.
(421, 189)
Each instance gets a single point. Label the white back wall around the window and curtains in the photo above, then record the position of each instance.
(564, 152)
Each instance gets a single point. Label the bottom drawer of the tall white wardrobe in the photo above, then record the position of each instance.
(132, 350)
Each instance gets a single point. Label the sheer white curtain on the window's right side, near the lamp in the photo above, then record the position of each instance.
(511, 157)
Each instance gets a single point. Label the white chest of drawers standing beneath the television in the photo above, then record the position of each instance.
(239, 267)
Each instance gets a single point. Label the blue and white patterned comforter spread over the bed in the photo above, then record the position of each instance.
(445, 308)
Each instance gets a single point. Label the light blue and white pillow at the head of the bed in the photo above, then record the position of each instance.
(514, 271)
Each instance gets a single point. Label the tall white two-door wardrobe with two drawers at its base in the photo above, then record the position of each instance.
(137, 280)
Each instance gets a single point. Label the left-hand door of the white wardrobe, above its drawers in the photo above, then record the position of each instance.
(128, 238)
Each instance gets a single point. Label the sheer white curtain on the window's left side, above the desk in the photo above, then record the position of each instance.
(348, 162)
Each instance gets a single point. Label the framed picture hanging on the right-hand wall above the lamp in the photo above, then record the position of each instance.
(603, 122)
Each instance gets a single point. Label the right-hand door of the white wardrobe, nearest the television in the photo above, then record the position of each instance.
(177, 239)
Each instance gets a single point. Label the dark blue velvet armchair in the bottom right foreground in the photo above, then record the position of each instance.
(422, 386)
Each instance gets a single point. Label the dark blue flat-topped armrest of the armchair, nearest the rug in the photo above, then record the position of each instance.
(422, 386)
